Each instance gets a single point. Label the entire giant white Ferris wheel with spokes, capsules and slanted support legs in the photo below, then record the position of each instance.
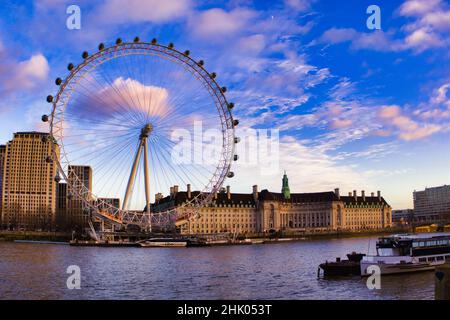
(119, 112)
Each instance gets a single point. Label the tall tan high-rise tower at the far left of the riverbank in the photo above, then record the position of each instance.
(29, 186)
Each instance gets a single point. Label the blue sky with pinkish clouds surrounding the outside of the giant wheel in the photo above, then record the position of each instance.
(356, 108)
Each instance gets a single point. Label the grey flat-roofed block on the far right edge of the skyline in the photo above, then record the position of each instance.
(432, 204)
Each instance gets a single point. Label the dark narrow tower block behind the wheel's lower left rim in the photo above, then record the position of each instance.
(80, 178)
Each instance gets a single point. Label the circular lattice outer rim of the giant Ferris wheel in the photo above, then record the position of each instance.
(219, 98)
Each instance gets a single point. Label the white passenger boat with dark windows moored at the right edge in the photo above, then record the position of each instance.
(408, 253)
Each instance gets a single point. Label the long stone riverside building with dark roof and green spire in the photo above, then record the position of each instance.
(265, 211)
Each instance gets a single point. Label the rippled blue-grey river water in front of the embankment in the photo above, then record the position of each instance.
(272, 271)
